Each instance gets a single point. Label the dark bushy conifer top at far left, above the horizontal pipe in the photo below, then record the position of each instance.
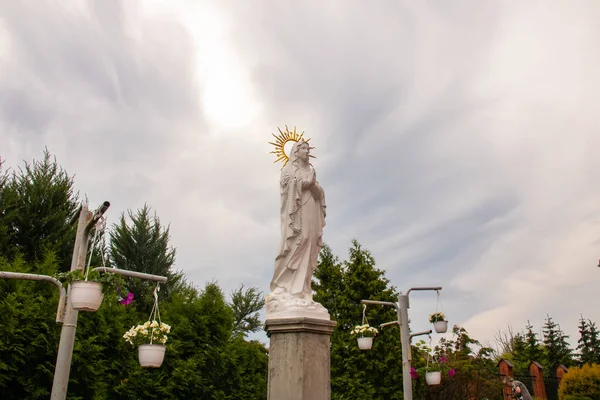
(37, 204)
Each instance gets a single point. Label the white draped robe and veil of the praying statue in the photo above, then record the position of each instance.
(302, 221)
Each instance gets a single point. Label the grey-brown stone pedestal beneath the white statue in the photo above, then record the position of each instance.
(299, 358)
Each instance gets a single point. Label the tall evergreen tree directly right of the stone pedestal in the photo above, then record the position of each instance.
(356, 374)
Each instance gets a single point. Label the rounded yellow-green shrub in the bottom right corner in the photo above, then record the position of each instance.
(580, 383)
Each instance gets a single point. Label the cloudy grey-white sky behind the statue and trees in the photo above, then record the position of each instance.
(455, 140)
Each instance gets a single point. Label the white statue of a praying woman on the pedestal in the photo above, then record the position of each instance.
(302, 221)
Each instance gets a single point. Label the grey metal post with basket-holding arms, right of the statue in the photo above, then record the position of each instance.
(402, 311)
